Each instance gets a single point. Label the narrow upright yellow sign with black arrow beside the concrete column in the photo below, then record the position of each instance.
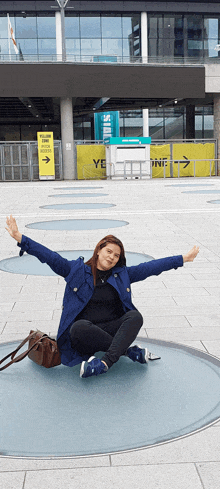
(46, 155)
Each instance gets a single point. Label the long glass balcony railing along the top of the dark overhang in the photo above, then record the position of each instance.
(100, 59)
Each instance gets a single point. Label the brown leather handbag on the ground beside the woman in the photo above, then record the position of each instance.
(42, 350)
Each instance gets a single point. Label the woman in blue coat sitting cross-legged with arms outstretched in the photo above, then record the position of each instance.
(98, 314)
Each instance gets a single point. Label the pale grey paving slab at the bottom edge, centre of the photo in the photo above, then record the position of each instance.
(161, 477)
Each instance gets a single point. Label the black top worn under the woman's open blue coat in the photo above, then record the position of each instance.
(105, 305)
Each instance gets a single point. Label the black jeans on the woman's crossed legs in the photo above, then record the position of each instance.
(113, 338)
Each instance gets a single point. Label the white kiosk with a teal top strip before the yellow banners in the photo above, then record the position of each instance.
(128, 157)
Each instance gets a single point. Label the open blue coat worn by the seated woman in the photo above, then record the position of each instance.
(80, 287)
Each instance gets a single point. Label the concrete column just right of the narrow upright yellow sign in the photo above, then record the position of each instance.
(68, 147)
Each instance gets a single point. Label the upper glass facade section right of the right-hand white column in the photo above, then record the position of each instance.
(183, 36)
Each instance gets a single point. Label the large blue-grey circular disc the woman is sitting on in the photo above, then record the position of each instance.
(130, 407)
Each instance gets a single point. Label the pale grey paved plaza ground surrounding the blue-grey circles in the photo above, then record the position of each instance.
(181, 306)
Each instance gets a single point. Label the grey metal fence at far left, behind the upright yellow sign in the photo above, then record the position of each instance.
(19, 161)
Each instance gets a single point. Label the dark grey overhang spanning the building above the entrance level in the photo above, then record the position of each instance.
(99, 80)
